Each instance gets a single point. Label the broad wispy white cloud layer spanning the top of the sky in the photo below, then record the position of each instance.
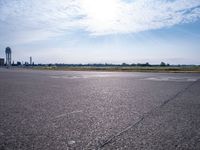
(26, 21)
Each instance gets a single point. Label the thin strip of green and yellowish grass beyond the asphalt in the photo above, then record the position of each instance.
(187, 69)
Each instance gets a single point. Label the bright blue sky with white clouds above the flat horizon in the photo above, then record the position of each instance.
(101, 31)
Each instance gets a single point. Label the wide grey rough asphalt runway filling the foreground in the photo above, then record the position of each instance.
(66, 110)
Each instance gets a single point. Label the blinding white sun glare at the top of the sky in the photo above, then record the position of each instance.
(102, 12)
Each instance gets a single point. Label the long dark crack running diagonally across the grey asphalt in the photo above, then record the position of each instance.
(112, 138)
